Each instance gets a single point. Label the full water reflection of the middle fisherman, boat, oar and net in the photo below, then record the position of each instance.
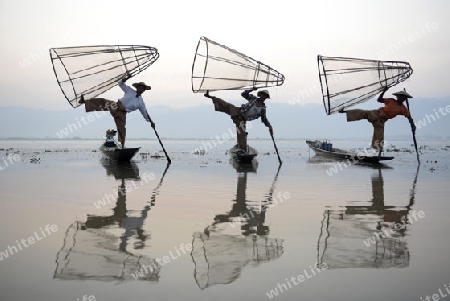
(235, 239)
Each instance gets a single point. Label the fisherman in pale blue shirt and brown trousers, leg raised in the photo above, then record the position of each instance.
(131, 101)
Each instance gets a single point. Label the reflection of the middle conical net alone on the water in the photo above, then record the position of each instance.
(219, 259)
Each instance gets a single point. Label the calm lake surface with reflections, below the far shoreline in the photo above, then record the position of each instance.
(204, 228)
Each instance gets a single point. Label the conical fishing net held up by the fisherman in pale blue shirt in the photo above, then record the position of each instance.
(92, 70)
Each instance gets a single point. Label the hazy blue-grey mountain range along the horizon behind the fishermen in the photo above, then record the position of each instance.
(303, 121)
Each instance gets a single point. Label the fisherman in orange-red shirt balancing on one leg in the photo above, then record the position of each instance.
(392, 108)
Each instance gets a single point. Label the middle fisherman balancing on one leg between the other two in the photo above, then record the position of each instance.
(253, 109)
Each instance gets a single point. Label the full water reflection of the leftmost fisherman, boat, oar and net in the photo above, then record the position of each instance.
(99, 247)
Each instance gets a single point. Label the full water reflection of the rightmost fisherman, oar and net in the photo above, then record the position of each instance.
(372, 236)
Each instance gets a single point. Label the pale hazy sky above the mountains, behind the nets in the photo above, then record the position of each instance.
(286, 35)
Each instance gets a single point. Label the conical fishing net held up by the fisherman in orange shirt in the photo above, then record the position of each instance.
(349, 81)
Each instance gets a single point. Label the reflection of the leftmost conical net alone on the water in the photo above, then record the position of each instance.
(93, 254)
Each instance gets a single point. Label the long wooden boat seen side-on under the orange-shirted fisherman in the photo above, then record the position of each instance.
(326, 149)
